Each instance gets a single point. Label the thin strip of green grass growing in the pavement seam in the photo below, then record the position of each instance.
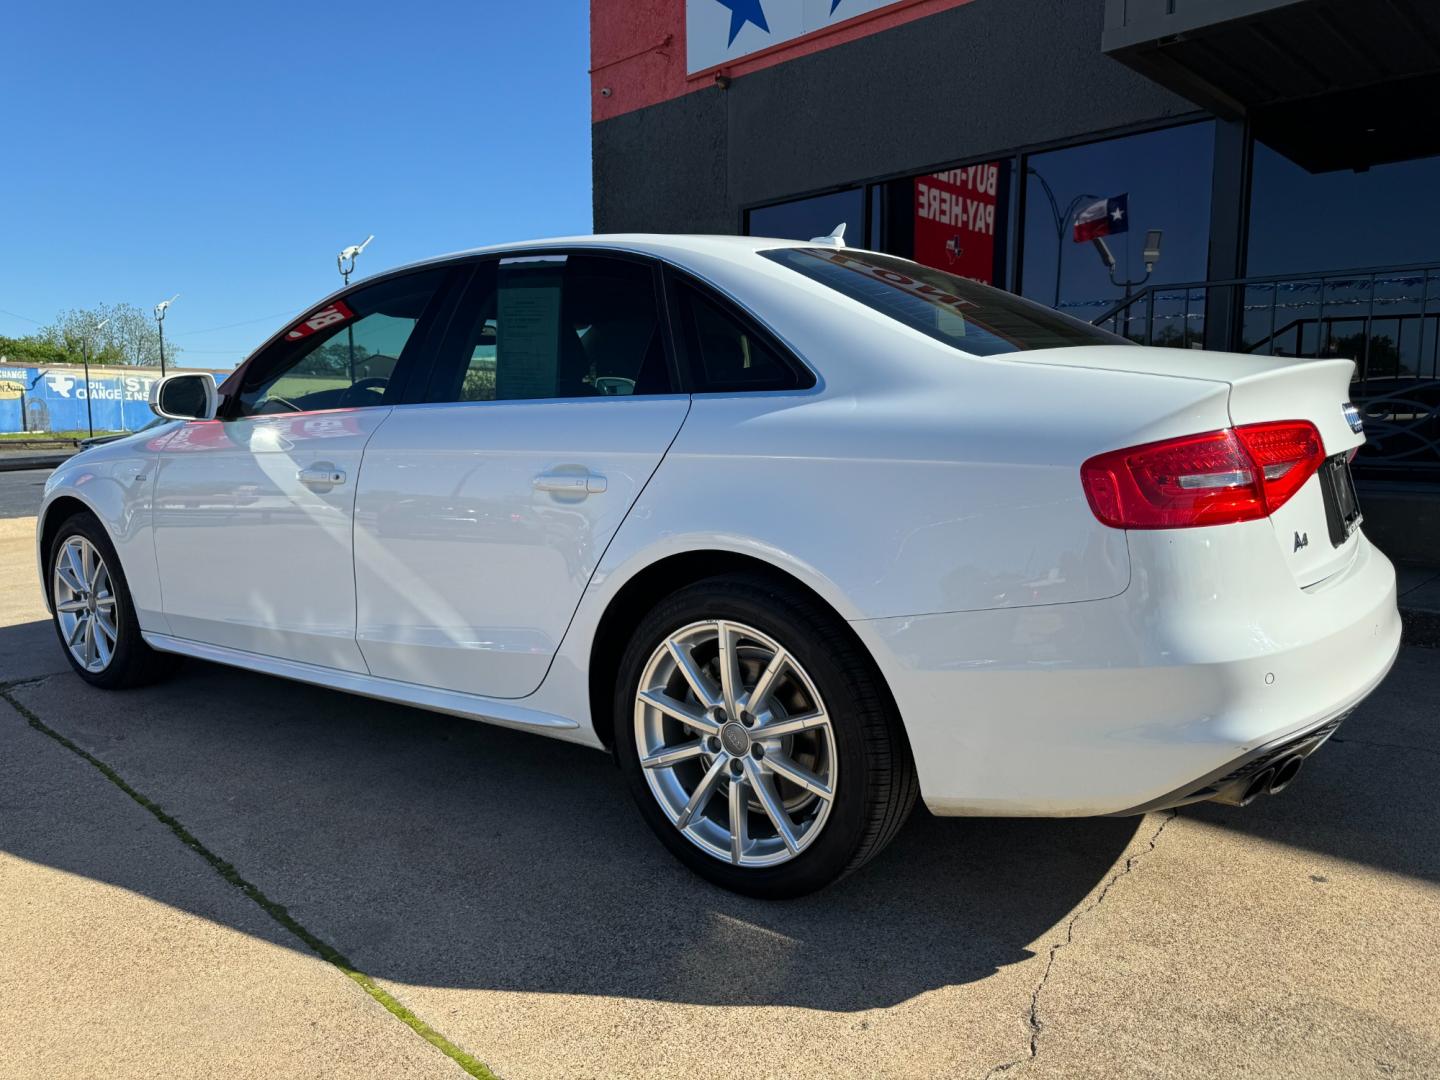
(325, 951)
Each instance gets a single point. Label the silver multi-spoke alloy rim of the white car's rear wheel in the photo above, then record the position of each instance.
(724, 711)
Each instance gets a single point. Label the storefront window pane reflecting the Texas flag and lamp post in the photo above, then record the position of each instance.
(1157, 181)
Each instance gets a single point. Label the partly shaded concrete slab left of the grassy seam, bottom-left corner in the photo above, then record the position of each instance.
(123, 954)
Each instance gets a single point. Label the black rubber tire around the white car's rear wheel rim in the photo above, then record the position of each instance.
(876, 786)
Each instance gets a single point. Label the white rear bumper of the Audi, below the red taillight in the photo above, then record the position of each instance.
(1140, 701)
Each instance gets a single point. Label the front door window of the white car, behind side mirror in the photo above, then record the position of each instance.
(345, 355)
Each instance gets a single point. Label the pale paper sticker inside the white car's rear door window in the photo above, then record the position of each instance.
(528, 342)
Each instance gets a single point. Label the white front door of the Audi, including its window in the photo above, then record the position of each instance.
(254, 513)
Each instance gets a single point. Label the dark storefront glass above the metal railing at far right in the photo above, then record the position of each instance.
(1305, 222)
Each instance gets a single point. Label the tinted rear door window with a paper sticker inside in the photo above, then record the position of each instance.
(558, 326)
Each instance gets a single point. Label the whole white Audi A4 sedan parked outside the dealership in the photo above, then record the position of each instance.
(796, 532)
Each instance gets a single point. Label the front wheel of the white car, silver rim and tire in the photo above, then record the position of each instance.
(93, 613)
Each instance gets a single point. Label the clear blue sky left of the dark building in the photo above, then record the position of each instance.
(228, 152)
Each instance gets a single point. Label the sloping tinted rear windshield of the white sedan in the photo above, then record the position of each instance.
(961, 313)
